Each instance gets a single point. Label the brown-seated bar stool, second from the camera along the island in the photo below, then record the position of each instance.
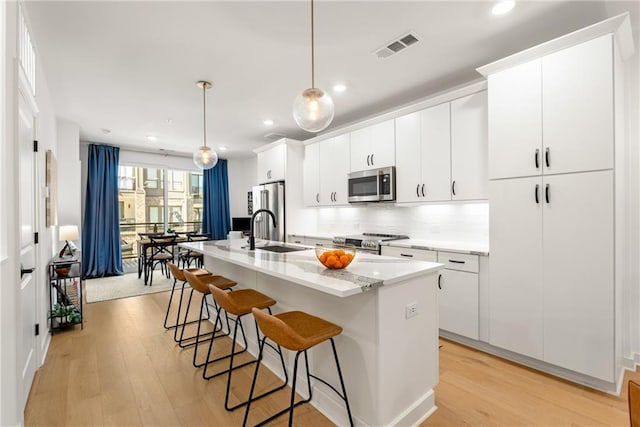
(239, 304)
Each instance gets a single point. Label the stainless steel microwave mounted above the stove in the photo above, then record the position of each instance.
(375, 185)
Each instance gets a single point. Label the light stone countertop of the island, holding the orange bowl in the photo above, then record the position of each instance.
(366, 272)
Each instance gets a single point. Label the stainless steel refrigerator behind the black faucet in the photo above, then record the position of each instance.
(269, 196)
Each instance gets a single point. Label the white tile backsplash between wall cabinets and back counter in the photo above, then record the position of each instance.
(448, 222)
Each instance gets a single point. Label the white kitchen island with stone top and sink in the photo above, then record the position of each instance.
(387, 307)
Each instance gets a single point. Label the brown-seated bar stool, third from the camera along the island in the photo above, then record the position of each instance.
(201, 284)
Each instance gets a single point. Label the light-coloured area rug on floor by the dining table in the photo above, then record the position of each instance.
(125, 286)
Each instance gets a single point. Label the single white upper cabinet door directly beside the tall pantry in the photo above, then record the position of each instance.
(469, 147)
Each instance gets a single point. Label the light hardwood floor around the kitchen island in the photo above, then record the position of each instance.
(124, 369)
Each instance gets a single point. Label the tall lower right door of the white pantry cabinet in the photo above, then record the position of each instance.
(578, 273)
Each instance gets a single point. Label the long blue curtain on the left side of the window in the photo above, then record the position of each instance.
(101, 249)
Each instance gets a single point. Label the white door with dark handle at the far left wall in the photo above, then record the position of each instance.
(26, 352)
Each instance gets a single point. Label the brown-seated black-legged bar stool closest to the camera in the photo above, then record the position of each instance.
(297, 331)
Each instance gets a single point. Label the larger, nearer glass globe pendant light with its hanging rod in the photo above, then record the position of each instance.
(313, 109)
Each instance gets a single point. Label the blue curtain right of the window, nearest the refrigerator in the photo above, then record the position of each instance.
(216, 219)
